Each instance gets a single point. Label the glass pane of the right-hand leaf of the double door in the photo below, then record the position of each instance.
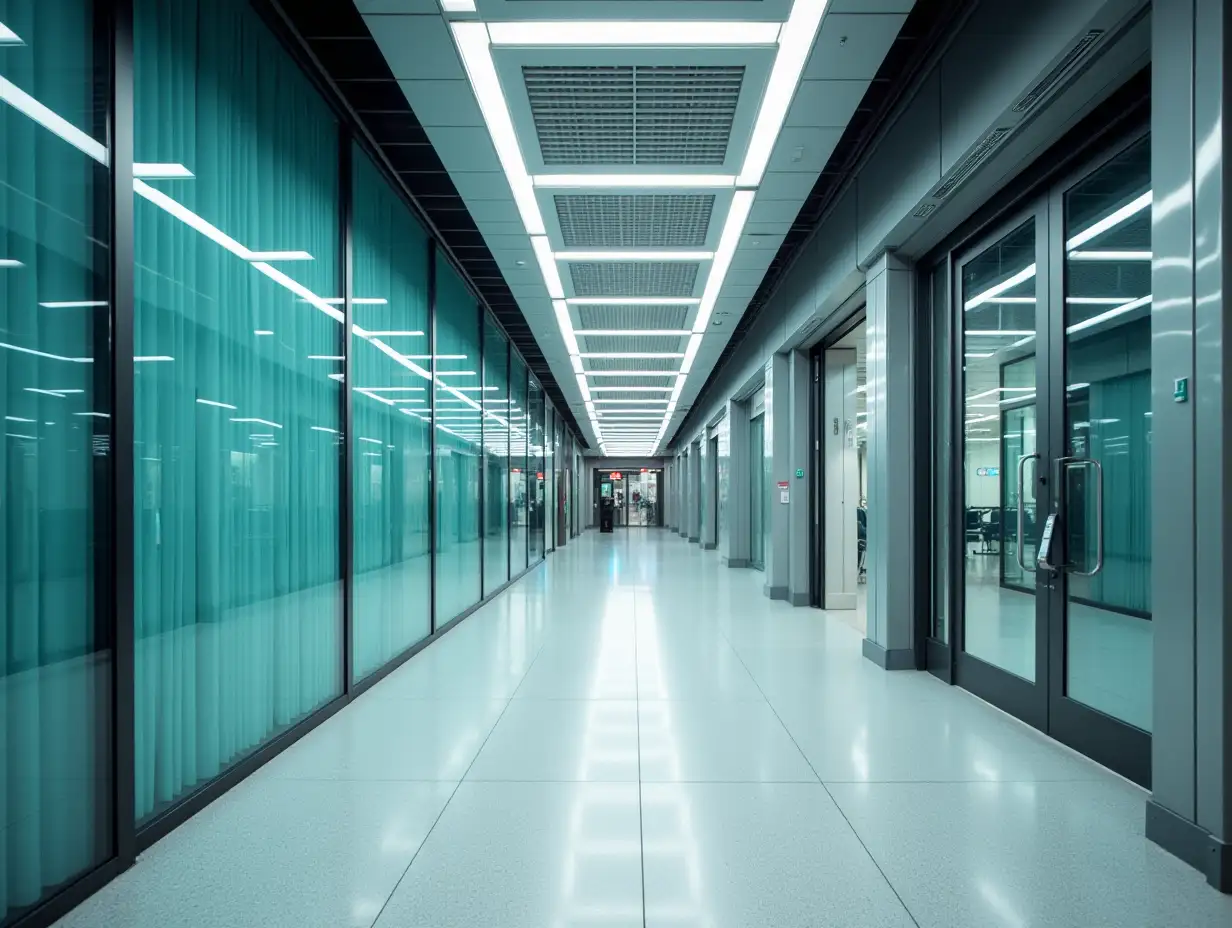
(1108, 429)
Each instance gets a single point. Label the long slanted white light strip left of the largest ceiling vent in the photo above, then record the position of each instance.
(472, 43)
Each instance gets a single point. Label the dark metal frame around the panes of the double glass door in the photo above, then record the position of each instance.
(1043, 704)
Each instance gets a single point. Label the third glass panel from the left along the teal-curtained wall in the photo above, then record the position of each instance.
(390, 416)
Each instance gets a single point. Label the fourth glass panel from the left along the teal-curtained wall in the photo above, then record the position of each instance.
(459, 421)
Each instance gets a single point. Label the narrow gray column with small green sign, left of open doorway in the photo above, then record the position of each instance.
(800, 565)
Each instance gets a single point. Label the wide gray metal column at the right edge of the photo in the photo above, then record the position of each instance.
(1191, 809)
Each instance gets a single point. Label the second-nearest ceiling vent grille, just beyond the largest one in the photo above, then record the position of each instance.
(635, 221)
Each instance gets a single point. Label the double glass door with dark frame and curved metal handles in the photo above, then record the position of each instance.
(1055, 423)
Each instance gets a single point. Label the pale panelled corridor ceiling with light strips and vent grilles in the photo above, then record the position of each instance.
(634, 168)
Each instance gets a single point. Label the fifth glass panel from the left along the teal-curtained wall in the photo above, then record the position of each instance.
(496, 459)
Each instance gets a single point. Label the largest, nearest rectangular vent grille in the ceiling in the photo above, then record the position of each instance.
(634, 115)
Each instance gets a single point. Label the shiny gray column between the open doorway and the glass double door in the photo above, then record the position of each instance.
(889, 404)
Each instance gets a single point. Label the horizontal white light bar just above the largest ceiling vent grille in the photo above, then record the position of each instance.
(625, 33)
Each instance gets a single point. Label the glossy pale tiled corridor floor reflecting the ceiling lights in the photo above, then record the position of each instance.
(636, 736)
